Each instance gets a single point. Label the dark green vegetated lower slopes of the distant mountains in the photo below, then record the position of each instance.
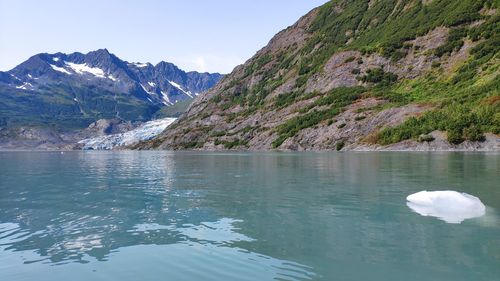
(56, 105)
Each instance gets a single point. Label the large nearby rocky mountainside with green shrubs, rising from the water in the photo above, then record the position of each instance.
(359, 74)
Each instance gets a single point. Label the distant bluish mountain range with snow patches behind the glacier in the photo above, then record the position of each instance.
(74, 90)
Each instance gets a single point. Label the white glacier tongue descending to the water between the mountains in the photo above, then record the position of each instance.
(144, 132)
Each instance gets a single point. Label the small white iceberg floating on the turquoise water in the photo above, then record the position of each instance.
(450, 206)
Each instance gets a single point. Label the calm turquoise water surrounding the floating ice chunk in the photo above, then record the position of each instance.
(238, 216)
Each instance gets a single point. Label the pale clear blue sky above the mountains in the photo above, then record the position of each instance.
(200, 35)
